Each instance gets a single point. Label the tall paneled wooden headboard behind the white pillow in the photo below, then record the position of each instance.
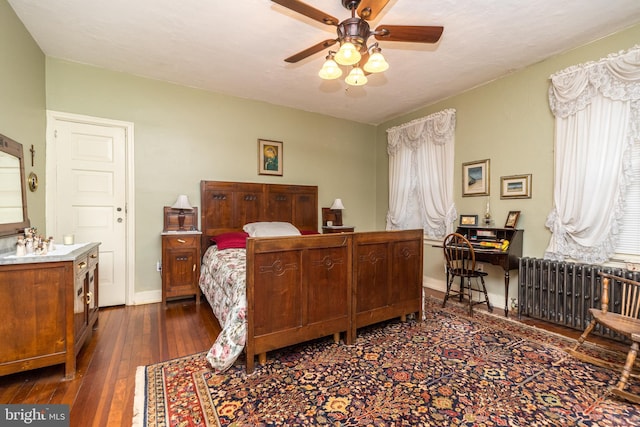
(228, 206)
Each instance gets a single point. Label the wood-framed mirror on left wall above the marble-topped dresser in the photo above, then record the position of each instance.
(13, 195)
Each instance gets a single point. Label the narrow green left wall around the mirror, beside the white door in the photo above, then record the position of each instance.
(22, 101)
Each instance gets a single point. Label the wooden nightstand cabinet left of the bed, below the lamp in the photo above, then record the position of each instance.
(180, 264)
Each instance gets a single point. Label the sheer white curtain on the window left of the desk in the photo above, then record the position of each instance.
(421, 174)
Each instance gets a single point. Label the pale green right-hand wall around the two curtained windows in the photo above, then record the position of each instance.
(509, 122)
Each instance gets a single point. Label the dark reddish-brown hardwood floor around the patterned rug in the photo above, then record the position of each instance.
(101, 394)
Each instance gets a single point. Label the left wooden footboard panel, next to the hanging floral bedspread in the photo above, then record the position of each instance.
(298, 289)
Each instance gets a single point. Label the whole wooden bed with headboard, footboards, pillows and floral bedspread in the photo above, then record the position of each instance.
(284, 290)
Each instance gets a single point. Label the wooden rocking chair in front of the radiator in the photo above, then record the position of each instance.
(625, 323)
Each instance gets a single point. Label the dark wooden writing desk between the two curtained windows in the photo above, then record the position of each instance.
(508, 259)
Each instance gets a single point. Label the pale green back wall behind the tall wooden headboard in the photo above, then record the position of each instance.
(184, 135)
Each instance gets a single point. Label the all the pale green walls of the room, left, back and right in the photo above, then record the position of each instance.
(183, 135)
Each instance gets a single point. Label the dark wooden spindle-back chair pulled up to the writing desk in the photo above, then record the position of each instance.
(461, 262)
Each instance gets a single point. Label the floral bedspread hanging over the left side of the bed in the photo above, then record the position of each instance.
(223, 282)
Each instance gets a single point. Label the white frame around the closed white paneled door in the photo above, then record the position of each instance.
(51, 184)
